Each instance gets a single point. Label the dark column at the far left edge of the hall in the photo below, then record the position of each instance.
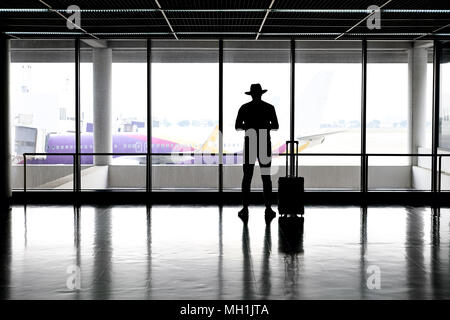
(5, 150)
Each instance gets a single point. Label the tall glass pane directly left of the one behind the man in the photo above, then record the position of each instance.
(185, 99)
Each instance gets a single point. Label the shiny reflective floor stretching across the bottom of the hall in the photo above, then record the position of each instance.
(194, 252)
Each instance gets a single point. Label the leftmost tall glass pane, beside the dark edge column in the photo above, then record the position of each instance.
(42, 86)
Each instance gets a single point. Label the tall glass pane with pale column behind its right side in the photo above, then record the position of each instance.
(399, 89)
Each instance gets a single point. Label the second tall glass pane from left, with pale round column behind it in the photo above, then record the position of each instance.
(114, 114)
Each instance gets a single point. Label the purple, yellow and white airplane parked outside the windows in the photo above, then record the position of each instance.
(132, 142)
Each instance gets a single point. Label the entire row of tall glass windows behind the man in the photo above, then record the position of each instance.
(184, 103)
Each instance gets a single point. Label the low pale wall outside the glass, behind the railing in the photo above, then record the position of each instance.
(192, 176)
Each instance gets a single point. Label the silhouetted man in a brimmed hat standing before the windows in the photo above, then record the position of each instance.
(257, 118)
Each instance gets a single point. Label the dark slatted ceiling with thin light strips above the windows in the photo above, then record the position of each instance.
(241, 19)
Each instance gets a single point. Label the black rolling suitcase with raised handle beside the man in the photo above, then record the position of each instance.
(291, 188)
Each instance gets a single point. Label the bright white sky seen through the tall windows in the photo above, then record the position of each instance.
(325, 93)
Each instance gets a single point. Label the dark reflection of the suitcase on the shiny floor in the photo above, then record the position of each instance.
(290, 245)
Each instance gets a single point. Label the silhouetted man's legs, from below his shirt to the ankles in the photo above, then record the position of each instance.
(248, 168)
